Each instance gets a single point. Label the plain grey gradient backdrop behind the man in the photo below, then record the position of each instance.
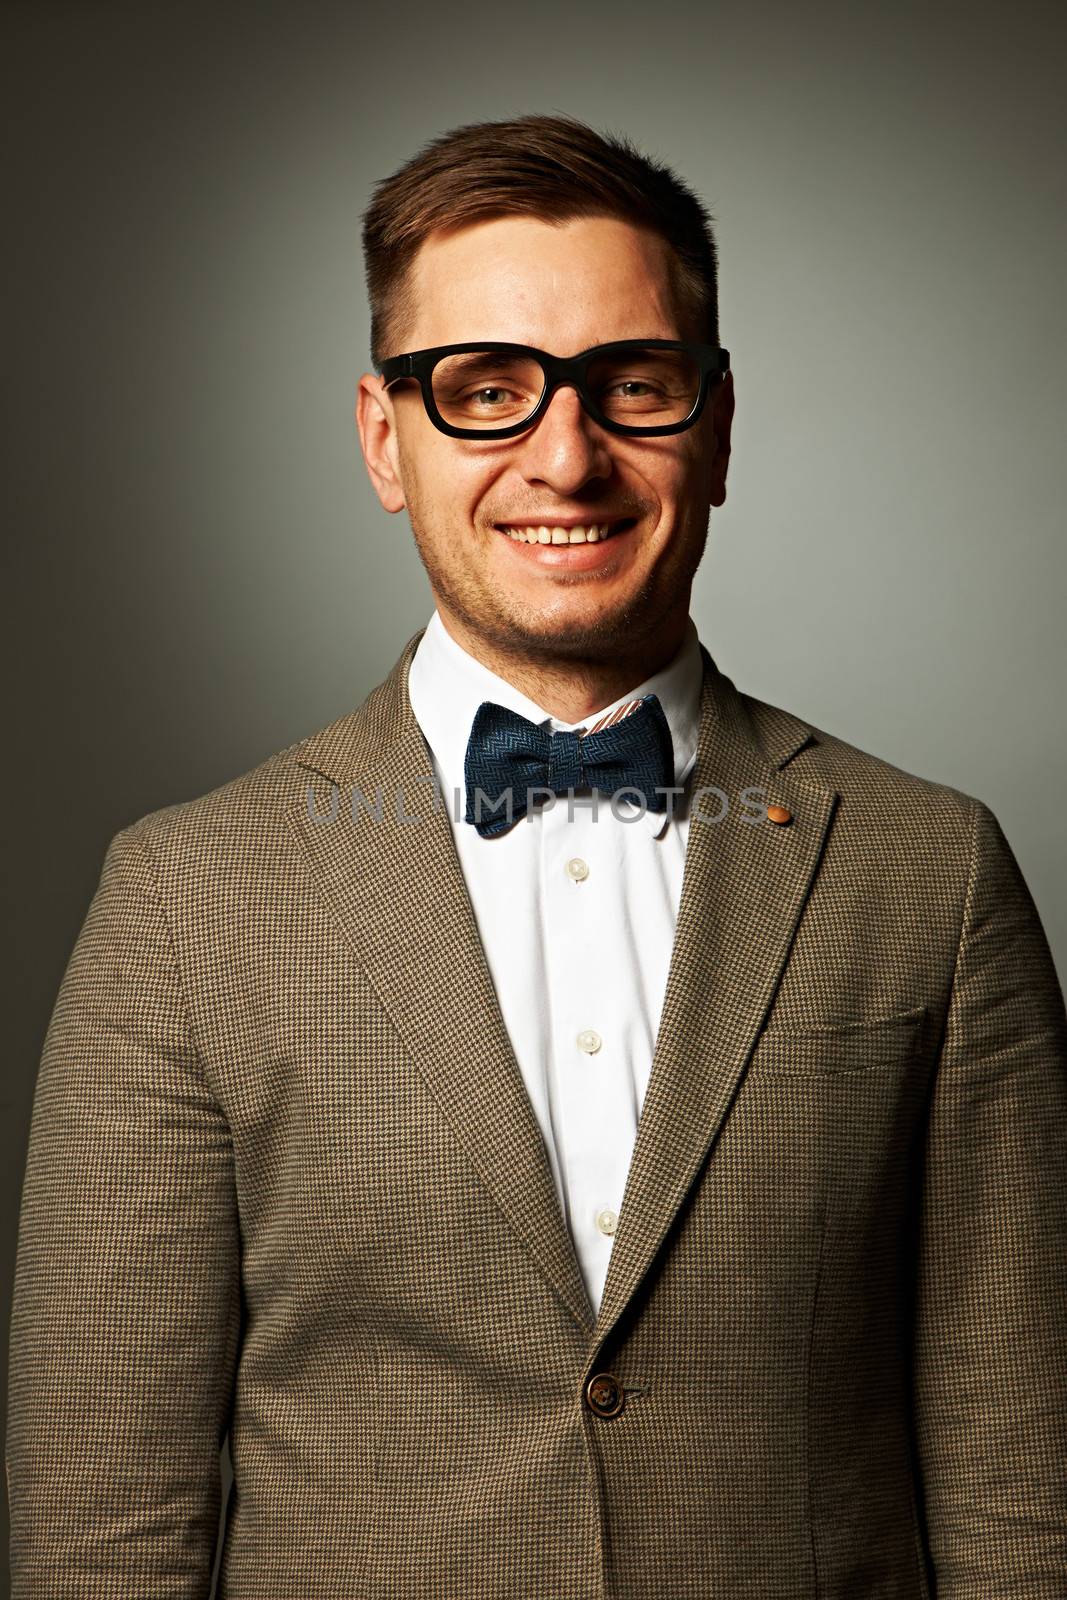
(198, 567)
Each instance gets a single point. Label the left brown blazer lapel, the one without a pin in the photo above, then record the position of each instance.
(398, 894)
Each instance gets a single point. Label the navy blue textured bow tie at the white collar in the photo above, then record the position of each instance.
(510, 756)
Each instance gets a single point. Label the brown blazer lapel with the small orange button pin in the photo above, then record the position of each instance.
(743, 894)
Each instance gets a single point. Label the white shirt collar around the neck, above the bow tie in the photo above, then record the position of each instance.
(447, 686)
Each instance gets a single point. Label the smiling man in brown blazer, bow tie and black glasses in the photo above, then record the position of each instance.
(583, 1130)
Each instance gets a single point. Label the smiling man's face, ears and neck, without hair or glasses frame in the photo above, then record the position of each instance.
(562, 558)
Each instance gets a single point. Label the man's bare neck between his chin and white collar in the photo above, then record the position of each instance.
(572, 689)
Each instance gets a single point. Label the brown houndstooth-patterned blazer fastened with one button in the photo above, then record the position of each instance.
(284, 1180)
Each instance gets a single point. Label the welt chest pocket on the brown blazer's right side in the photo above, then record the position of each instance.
(839, 1049)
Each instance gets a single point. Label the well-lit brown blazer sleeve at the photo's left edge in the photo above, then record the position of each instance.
(127, 1303)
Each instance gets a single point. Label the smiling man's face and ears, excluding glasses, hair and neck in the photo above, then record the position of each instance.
(561, 289)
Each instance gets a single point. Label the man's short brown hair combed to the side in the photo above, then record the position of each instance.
(554, 169)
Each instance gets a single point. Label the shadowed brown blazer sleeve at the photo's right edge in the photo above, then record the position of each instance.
(991, 1354)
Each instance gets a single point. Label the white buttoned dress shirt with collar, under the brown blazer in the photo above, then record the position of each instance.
(577, 918)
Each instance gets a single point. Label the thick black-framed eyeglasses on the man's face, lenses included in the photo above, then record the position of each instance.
(495, 390)
